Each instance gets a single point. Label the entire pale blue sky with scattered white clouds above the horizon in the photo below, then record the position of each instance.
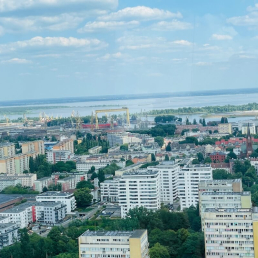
(63, 48)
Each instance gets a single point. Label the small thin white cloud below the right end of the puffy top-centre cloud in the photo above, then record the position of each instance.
(171, 25)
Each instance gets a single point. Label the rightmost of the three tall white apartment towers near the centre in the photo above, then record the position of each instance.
(188, 183)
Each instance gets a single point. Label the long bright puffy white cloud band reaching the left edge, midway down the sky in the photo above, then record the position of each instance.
(53, 42)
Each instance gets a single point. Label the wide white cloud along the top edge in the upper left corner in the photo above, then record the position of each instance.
(13, 5)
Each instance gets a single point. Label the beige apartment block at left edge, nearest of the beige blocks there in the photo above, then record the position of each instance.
(16, 164)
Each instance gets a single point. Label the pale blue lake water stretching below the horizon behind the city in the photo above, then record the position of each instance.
(138, 105)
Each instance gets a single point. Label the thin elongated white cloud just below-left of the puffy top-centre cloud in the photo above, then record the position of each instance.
(108, 25)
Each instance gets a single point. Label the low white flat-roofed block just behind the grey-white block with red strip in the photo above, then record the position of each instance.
(66, 198)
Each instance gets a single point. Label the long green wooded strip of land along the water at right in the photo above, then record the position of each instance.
(208, 109)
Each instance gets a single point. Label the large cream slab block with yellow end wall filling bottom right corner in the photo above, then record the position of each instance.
(231, 232)
